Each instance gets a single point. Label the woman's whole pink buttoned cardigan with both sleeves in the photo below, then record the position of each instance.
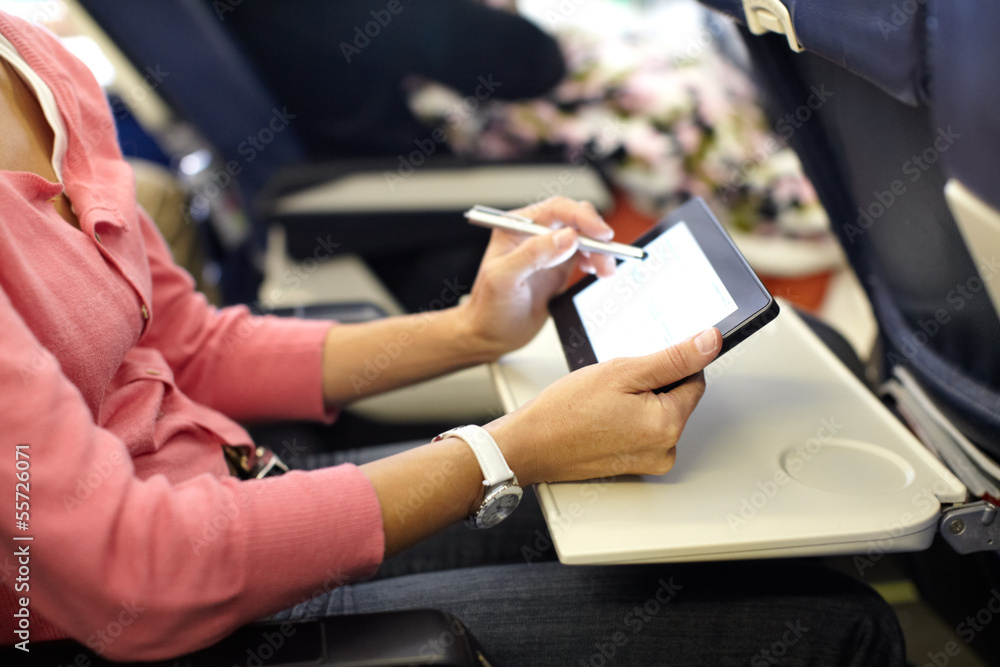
(123, 382)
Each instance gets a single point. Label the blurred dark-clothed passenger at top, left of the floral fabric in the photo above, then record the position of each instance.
(342, 66)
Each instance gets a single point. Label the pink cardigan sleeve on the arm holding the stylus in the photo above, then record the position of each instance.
(245, 365)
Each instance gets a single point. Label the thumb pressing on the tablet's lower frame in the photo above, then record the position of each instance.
(673, 363)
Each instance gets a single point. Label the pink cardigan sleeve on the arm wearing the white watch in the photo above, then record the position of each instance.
(189, 562)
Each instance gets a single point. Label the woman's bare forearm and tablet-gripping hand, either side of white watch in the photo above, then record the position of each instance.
(598, 421)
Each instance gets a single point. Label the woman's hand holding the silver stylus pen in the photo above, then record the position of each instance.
(519, 273)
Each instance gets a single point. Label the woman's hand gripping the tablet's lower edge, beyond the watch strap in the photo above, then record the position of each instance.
(605, 419)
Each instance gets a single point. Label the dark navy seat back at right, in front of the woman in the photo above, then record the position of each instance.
(881, 126)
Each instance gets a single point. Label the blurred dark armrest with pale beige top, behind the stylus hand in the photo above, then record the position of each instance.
(418, 210)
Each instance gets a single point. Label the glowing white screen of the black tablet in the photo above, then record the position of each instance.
(653, 303)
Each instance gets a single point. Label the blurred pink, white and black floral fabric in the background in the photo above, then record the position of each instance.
(664, 127)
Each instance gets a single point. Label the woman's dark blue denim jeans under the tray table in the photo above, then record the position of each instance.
(527, 609)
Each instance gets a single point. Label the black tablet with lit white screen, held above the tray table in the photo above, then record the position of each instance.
(693, 277)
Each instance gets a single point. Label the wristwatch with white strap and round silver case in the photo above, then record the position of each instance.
(502, 490)
